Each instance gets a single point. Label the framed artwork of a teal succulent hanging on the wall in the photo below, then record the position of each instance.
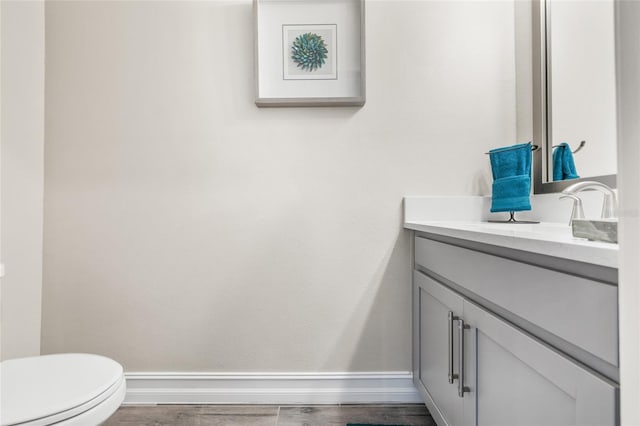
(309, 52)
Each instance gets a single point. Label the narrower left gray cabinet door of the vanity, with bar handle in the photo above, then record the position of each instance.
(432, 303)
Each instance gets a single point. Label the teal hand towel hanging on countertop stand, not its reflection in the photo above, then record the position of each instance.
(511, 169)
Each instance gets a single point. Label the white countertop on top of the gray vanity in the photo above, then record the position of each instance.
(552, 239)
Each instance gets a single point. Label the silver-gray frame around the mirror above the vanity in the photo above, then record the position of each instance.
(542, 157)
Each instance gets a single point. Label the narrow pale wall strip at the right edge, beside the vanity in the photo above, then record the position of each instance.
(628, 78)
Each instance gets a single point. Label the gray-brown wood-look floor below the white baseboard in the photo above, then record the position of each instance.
(270, 415)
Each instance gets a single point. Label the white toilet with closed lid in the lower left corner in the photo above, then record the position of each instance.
(60, 389)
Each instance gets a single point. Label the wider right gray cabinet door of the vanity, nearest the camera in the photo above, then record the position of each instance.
(515, 379)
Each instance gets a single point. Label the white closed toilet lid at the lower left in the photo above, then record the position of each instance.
(45, 386)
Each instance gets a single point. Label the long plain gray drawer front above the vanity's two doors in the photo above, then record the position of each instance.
(578, 310)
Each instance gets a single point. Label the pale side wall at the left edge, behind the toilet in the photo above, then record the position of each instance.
(21, 177)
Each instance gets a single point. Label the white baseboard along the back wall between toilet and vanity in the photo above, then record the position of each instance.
(271, 388)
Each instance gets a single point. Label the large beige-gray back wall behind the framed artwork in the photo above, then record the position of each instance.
(188, 230)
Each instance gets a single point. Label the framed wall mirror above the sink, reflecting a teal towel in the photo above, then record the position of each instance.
(574, 93)
